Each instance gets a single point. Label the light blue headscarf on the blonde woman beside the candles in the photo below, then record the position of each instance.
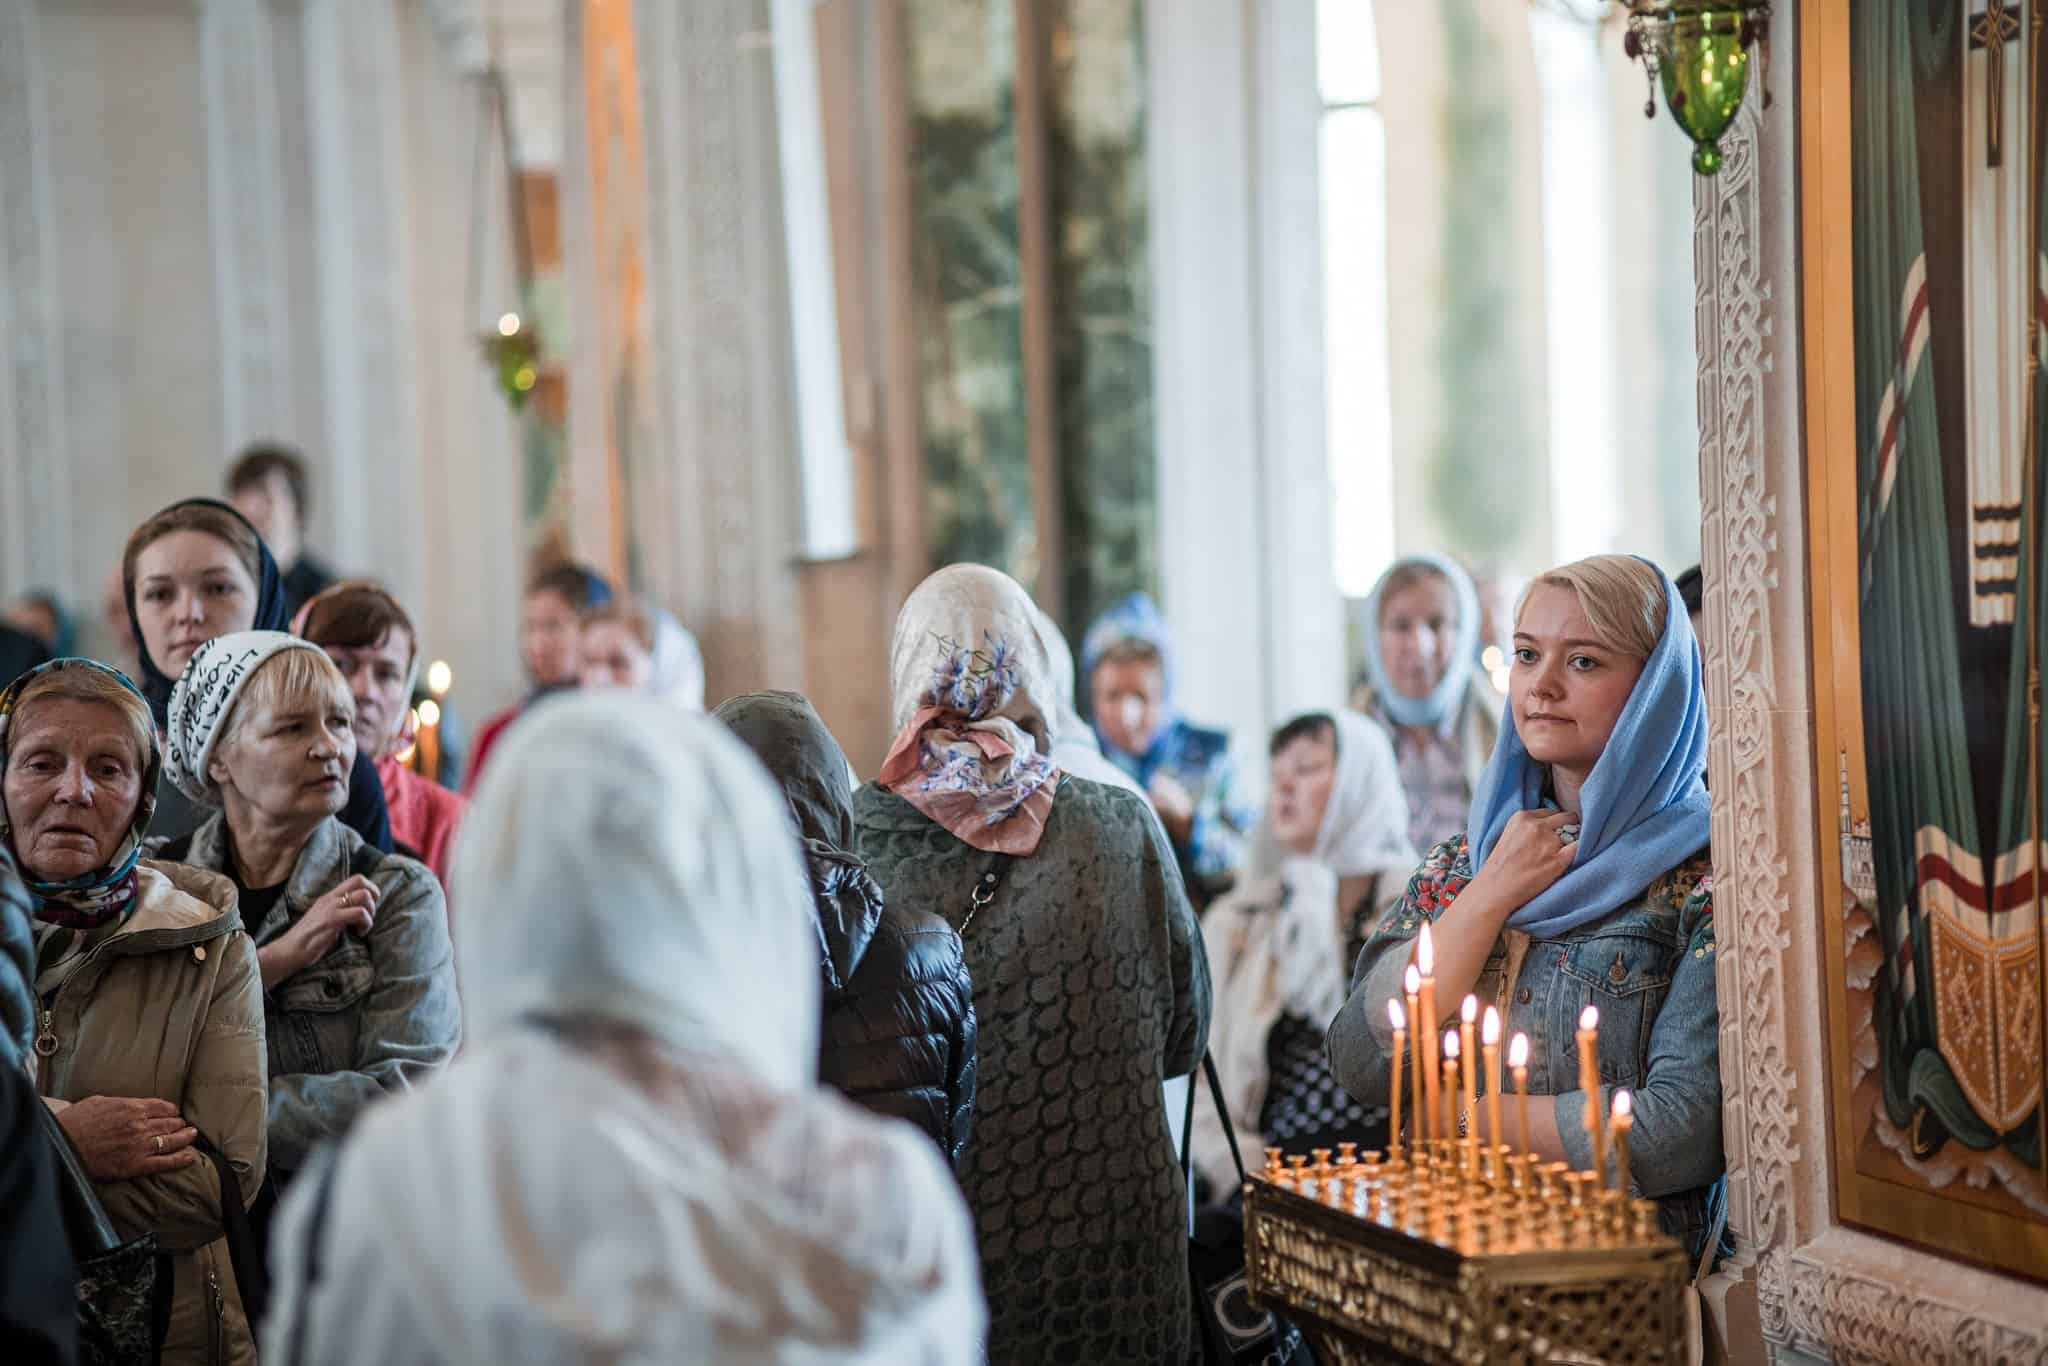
(1641, 812)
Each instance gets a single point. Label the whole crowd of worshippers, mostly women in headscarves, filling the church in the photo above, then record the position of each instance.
(671, 1041)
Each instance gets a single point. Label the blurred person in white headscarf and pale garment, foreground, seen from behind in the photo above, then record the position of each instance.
(562, 1197)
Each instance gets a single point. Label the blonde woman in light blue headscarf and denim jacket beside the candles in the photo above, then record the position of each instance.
(1582, 880)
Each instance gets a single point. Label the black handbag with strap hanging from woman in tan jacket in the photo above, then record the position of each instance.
(124, 1289)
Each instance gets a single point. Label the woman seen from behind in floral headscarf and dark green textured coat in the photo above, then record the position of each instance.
(1091, 986)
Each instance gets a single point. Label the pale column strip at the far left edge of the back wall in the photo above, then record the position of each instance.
(36, 511)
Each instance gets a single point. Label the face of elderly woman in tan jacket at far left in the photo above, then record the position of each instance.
(73, 785)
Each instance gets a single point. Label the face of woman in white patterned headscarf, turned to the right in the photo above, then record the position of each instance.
(290, 761)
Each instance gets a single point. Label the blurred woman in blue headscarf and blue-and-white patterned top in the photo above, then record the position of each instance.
(1185, 769)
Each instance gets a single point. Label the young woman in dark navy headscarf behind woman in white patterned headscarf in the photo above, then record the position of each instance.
(194, 572)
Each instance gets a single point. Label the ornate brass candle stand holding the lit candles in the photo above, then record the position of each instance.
(1416, 1258)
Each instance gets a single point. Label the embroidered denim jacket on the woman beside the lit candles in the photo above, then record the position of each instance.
(1650, 968)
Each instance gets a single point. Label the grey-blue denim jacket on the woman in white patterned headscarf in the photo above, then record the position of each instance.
(376, 1015)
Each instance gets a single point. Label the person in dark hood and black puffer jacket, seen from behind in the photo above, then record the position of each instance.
(900, 1011)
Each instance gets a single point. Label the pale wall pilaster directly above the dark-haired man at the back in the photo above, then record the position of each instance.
(247, 202)
